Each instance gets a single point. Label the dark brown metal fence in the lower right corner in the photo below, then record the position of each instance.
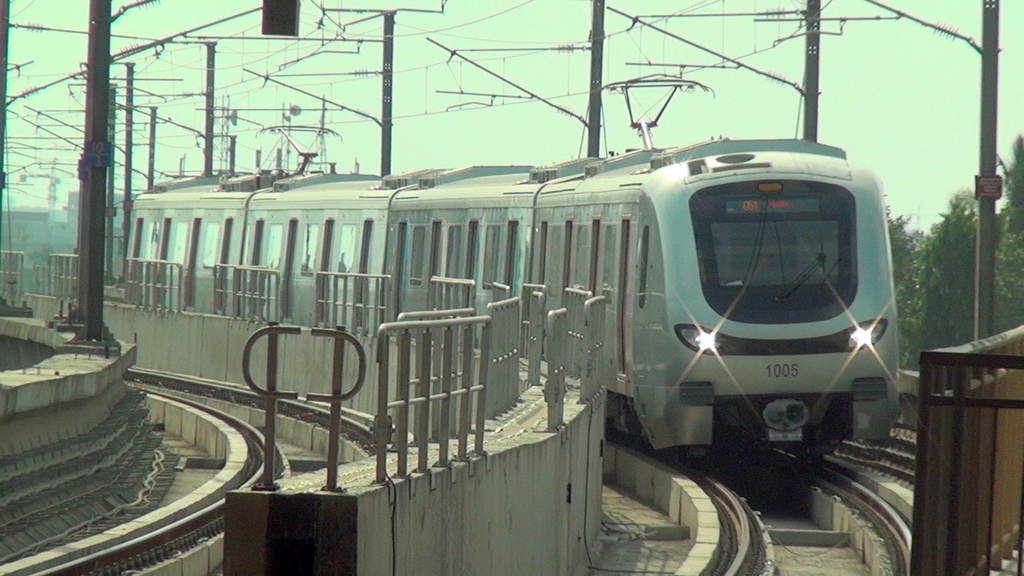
(968, 488)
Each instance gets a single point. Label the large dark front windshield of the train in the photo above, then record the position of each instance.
(782, 258)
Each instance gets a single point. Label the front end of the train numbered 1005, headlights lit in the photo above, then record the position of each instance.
(779, 319)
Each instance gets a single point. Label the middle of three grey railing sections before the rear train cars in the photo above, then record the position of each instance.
(248, 293)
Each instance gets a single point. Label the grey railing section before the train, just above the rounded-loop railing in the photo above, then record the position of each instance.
(357, 302)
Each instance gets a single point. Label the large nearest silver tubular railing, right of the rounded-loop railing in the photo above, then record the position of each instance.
(459, 381)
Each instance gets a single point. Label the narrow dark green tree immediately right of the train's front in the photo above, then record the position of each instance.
(907, 246)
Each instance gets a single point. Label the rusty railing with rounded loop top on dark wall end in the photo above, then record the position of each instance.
(272, 395)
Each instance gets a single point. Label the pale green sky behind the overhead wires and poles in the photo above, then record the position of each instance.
(900, 98)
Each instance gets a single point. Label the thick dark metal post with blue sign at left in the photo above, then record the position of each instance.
(96, 159)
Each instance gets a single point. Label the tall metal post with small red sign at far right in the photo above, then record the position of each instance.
(985, 302)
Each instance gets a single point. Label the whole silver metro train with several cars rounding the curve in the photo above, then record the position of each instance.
(749, 283)
